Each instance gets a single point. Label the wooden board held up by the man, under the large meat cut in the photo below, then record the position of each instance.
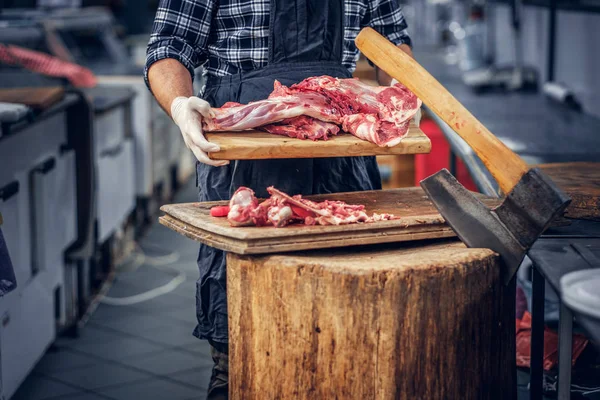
(254, 145)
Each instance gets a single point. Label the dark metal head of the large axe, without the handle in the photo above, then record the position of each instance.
(512, 227)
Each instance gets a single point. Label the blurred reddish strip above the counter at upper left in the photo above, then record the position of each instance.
(47, 65)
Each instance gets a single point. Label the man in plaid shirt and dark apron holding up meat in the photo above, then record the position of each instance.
(244, 46)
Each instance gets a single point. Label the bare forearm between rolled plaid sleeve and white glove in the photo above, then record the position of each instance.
(169, 79)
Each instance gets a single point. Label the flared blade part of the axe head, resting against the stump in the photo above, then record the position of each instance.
(474, 223)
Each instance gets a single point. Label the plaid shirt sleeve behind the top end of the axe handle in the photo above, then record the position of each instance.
(387, 18)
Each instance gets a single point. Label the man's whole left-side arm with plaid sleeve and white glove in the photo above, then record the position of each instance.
(176, 47)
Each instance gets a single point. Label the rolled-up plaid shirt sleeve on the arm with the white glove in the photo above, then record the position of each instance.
(180, 31)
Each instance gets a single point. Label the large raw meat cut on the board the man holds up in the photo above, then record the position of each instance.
(317, 107)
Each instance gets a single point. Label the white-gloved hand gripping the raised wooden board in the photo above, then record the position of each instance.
(187, 113)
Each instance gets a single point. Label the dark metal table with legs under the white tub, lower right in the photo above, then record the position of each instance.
(562, 251)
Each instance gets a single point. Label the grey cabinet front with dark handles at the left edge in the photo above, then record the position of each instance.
(38, 202)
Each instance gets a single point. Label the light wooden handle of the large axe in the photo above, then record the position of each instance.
(506, 166)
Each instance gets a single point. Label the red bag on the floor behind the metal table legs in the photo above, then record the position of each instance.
(523, 328)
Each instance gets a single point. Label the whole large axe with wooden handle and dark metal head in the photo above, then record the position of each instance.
(531, 200)
